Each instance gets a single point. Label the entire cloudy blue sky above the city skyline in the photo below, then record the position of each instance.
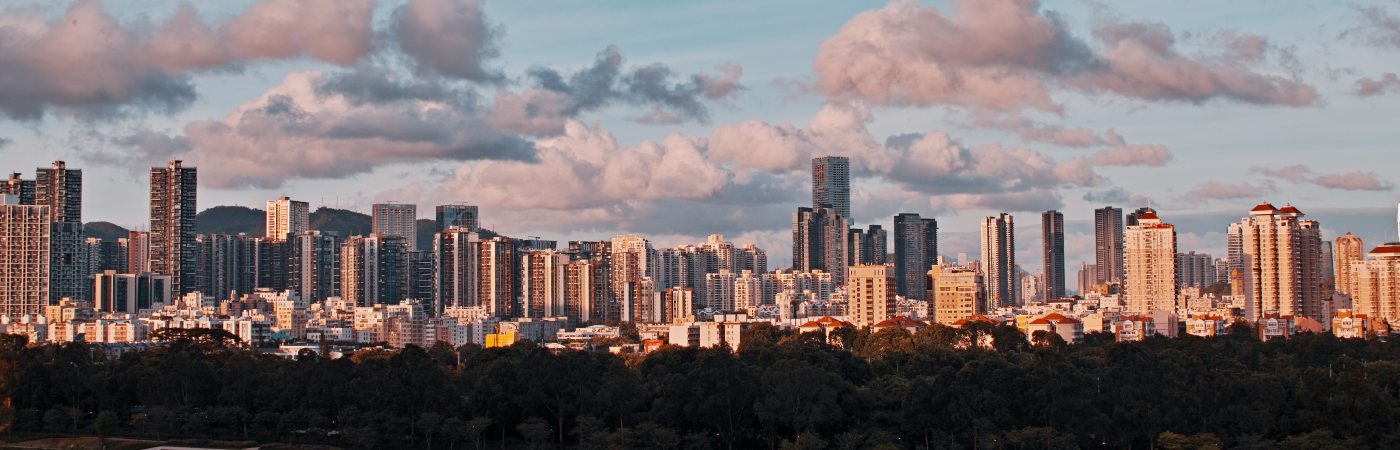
(586, 120)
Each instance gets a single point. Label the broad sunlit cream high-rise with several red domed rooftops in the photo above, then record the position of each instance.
(1283, 263)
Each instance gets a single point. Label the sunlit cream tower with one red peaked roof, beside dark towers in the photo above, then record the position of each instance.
(1150, 264)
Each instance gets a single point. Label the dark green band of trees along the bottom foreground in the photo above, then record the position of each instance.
(779, 390)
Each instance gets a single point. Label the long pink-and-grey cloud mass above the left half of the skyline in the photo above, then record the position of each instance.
(310, 128)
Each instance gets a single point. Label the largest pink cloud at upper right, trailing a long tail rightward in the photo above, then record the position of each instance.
(1006, 57)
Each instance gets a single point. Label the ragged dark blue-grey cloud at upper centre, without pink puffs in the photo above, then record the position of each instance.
(656, 86)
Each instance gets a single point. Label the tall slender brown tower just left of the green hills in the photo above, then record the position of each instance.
(174, 208)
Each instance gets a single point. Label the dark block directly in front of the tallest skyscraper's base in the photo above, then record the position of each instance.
(820, 242)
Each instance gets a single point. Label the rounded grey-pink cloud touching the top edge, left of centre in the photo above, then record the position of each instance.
(450, 39)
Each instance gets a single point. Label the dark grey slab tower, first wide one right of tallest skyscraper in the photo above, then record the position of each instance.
(916, 250)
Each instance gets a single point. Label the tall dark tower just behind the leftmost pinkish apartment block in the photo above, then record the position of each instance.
(61, 190)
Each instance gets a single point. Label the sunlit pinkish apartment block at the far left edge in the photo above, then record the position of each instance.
(24, 257)
